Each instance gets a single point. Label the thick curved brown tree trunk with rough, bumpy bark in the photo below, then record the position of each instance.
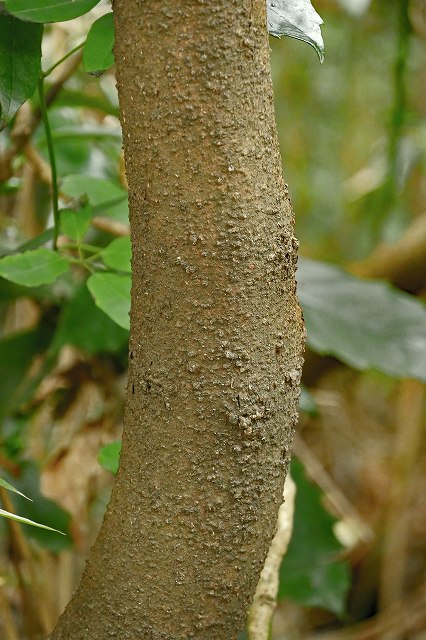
(216, 330)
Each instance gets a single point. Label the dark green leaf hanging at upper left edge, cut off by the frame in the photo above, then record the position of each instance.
(20, 64)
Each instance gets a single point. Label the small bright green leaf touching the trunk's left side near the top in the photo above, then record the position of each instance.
(97, 54)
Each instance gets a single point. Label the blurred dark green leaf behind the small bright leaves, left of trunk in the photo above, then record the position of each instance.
(86, 327)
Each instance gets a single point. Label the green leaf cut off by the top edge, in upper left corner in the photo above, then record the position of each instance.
(49, 10)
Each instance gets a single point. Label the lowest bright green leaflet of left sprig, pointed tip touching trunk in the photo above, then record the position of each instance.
(111, 292)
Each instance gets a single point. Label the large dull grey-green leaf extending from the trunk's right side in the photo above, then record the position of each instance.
(367, 324)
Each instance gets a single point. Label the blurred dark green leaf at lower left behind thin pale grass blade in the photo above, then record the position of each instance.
(41, 510)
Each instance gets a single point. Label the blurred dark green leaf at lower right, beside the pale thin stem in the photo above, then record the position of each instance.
(310, 572)
